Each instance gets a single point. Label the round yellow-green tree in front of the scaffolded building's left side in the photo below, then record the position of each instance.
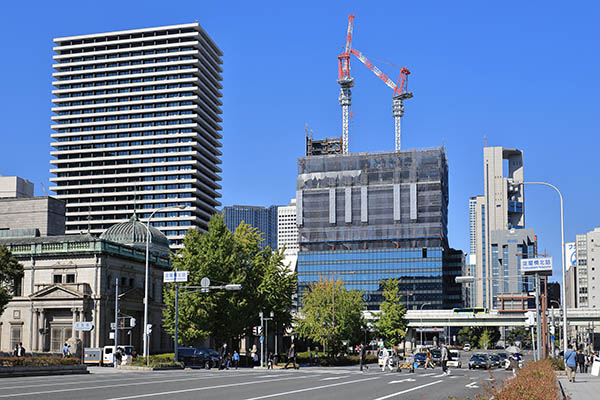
(331, 314)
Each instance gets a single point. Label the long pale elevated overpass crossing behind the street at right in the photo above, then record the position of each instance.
(442, 318)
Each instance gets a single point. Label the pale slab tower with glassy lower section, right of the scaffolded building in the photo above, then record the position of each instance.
(494, 217)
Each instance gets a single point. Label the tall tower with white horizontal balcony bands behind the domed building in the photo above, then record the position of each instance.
(136, 126)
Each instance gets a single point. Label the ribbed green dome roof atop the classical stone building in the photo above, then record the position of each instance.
(133, 233)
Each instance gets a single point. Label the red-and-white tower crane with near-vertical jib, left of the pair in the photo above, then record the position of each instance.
(346, 82)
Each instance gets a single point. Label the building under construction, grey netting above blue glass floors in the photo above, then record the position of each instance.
(368, 217)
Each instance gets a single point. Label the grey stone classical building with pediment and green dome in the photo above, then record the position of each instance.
(71, 278)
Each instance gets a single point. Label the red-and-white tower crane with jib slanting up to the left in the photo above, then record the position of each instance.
(400, 93)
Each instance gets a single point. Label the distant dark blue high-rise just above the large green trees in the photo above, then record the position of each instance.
(262, 218)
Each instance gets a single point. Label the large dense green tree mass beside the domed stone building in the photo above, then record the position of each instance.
(226, 258)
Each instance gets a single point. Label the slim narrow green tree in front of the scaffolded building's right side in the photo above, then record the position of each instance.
(391, 324)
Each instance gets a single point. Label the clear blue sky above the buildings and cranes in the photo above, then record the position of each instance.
(523, 74)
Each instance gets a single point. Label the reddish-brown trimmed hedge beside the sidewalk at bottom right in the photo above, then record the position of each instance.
(536, 380)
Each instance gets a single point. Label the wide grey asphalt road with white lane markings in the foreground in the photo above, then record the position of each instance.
(248, 384)
